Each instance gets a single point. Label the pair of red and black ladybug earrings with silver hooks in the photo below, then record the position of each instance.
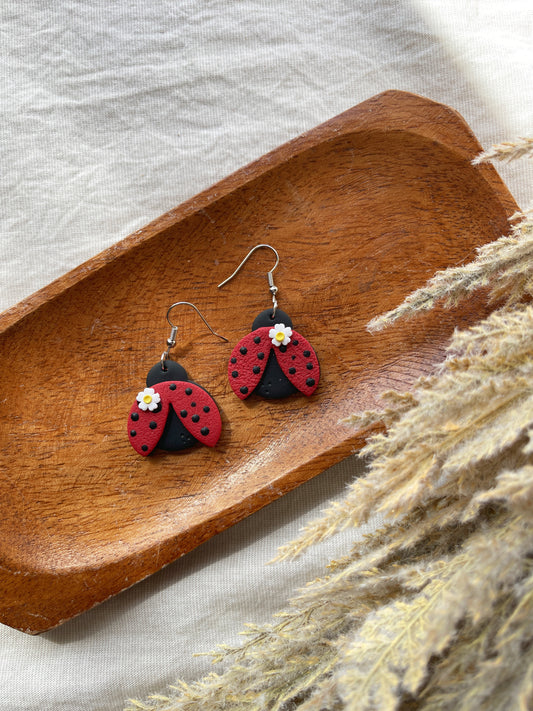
(273, 361)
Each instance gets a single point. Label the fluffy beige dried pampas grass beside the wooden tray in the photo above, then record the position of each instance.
(434, 611)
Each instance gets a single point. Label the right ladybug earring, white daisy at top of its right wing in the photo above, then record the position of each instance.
(273, 361)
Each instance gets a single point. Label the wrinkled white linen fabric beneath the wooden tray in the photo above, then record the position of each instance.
(113, 113)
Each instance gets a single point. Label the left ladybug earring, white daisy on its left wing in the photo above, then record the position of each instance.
(172, 412)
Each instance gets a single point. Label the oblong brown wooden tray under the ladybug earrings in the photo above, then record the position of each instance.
(362, 209)
